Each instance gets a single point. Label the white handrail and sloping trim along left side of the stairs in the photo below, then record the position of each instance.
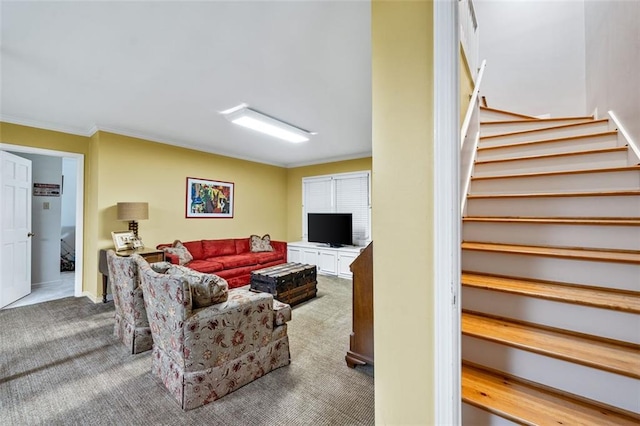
(467, 152)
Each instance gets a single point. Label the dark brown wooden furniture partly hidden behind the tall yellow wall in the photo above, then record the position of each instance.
(361, 340)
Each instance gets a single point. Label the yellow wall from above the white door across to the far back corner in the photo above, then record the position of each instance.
(120, 168)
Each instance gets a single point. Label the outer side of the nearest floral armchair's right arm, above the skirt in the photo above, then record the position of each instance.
(222, 332)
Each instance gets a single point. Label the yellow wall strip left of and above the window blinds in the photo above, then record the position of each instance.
(294, 188)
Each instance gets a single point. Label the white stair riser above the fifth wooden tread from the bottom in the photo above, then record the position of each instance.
(610, 206)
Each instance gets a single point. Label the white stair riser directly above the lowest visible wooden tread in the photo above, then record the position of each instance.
(591, 383)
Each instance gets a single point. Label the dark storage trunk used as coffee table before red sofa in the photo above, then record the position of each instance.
(290, 283)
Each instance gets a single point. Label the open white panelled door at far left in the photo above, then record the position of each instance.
(15, 220)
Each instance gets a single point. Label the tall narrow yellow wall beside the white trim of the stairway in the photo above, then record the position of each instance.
(402, 71)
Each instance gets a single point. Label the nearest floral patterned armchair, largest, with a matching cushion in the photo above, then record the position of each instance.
(201, 353)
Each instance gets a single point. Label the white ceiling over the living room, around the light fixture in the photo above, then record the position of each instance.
(162, 71)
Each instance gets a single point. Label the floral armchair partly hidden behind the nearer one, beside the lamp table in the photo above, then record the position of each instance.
(132, 326)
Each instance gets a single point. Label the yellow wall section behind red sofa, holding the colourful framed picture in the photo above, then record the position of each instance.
(133, 169)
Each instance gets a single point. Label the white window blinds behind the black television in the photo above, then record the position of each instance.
(341, 193)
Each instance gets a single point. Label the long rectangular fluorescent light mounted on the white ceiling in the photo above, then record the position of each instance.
(252, 119)
